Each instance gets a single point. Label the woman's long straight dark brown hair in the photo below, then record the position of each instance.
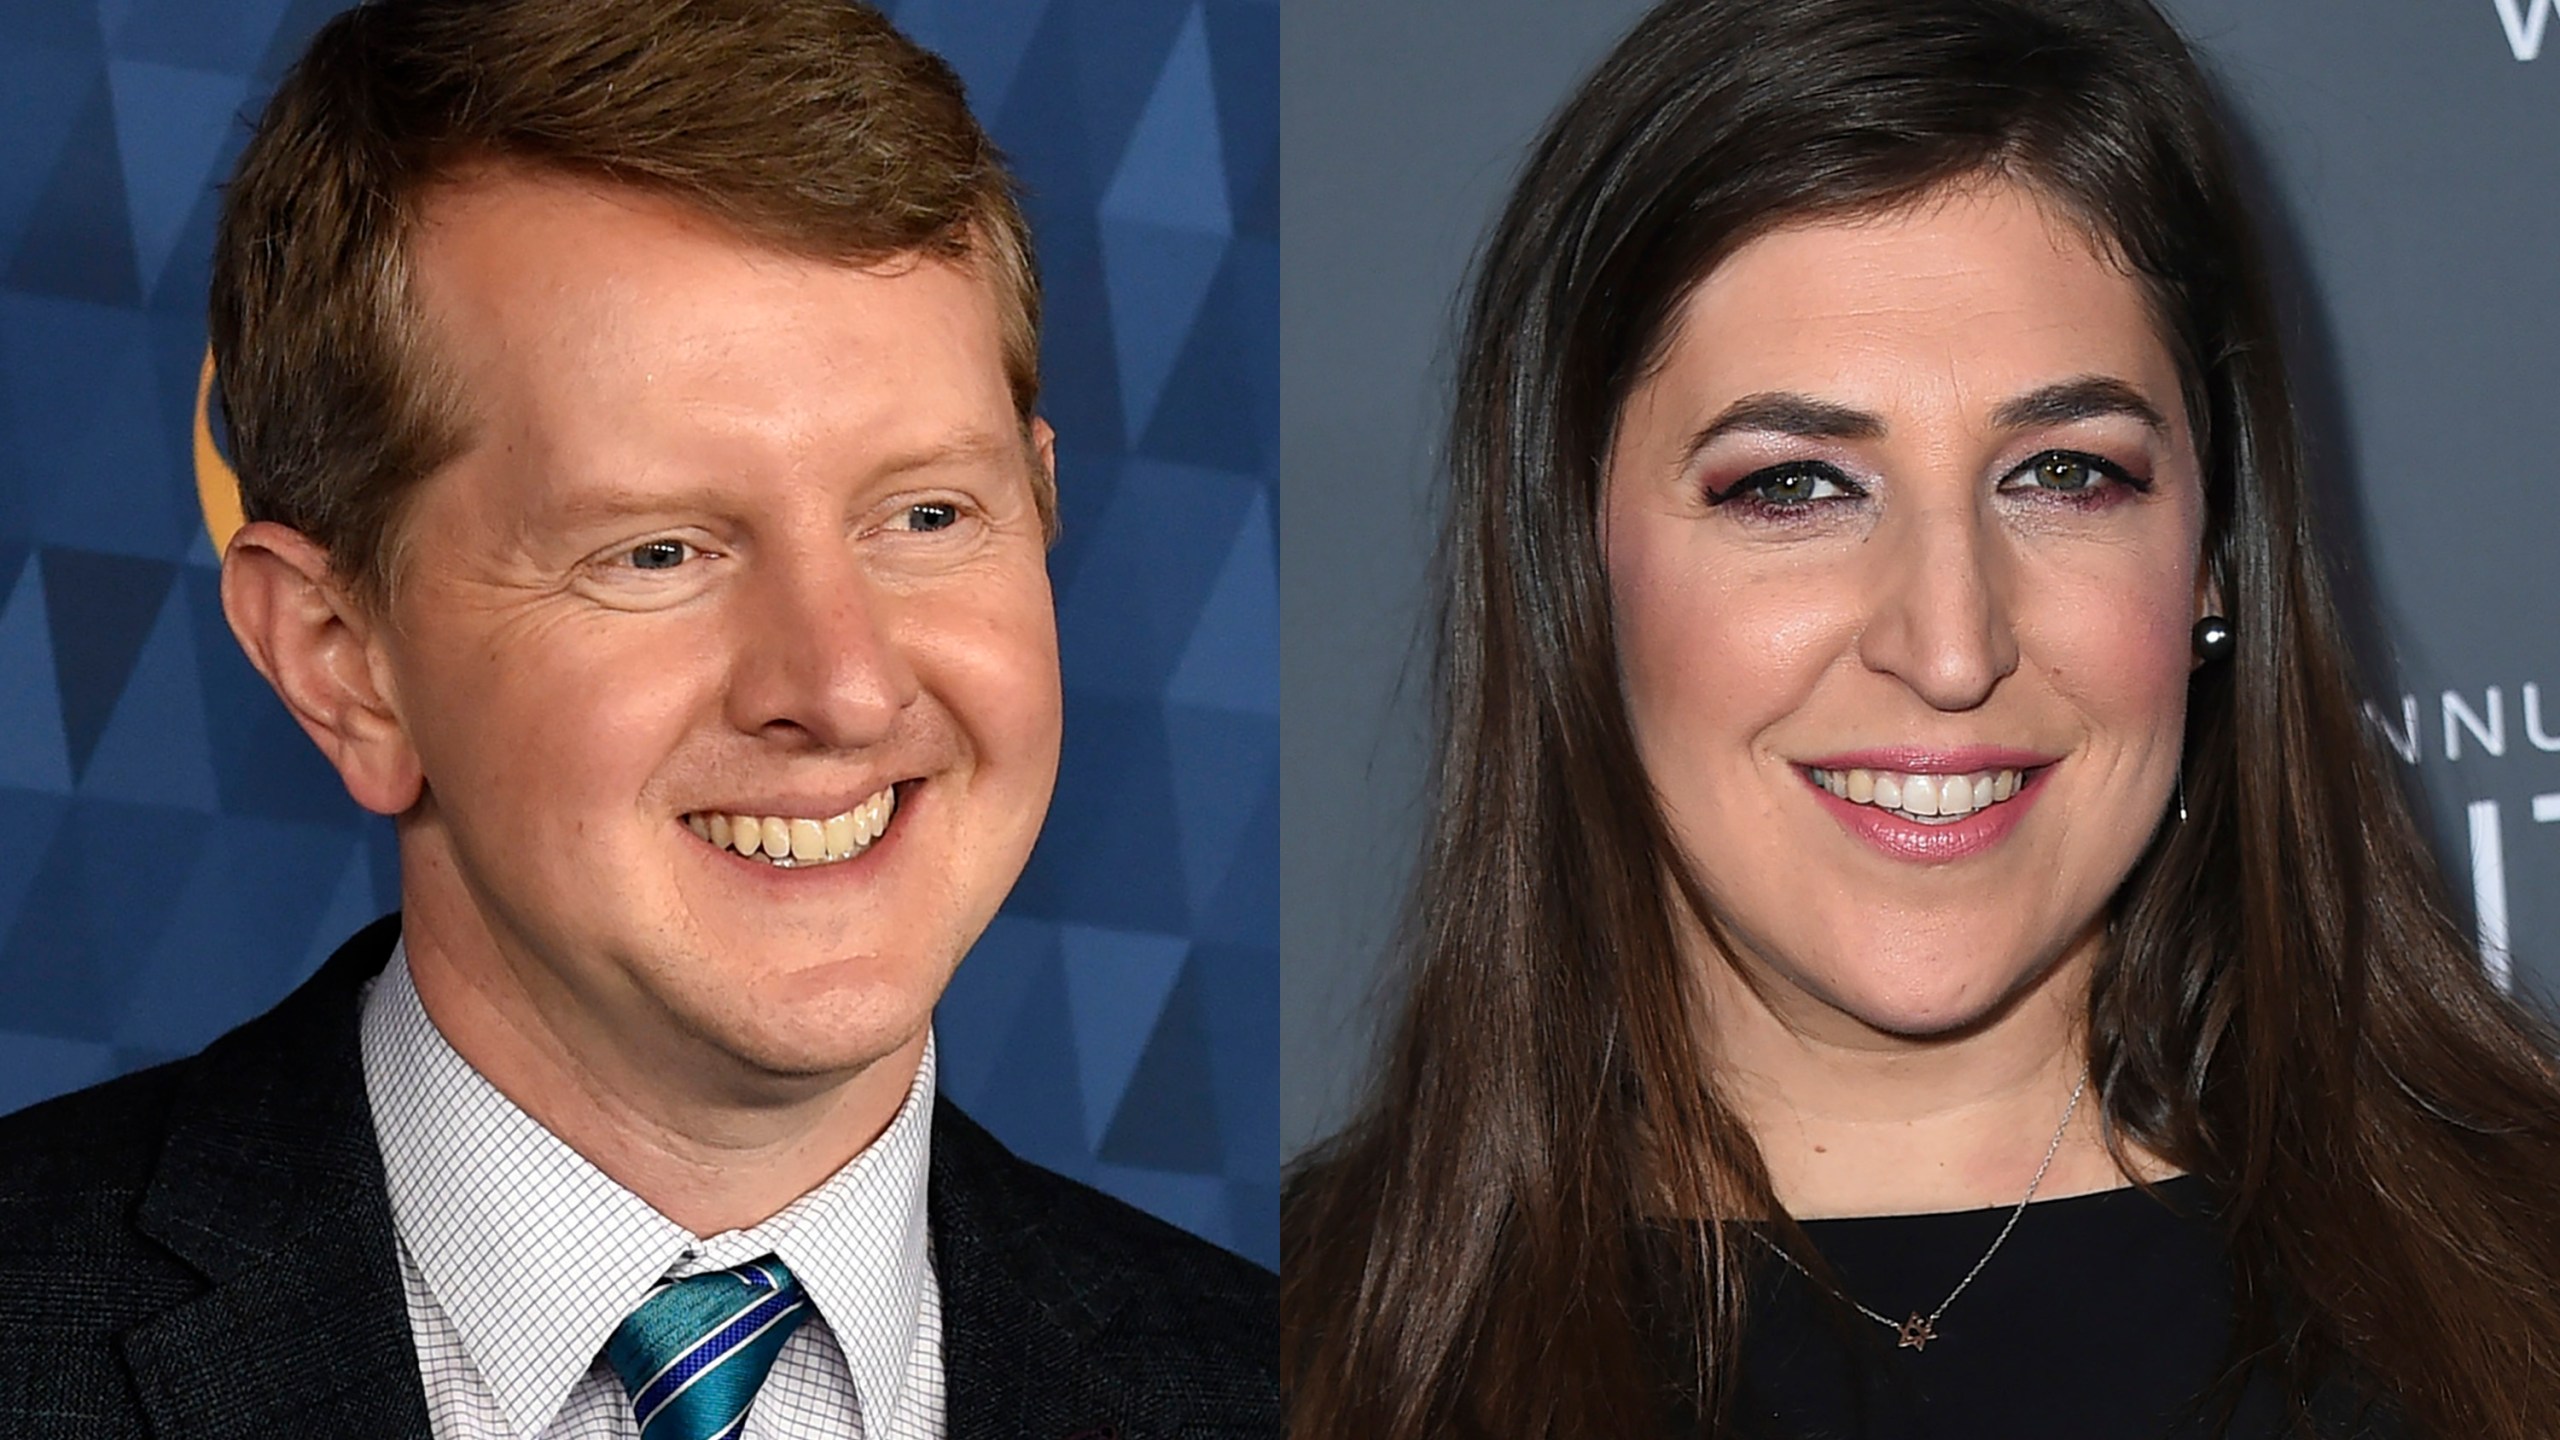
(2287, 1011)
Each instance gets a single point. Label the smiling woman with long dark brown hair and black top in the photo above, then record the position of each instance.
(1916, 937)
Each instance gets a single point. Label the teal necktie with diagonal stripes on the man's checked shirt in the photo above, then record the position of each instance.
(698, 1349)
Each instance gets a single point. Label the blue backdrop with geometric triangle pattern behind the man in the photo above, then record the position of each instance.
(175, 855)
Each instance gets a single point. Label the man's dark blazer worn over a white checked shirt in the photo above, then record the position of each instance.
(206, 1252)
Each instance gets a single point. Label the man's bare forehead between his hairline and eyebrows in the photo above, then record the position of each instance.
(608, 316)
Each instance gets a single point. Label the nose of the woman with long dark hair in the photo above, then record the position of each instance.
(1942, 606)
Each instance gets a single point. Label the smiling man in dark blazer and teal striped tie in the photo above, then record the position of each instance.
(634, 411)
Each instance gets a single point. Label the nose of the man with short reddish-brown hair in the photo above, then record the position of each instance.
(818, 655)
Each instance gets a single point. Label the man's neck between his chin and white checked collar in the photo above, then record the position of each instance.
(667, 1118)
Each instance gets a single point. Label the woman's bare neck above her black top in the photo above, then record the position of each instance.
(1855, 1121)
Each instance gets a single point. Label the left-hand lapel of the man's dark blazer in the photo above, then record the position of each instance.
(270, 1185)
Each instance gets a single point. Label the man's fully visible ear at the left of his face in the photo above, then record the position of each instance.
(319, 650)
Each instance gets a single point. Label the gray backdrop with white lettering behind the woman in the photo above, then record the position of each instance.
(2413, 163)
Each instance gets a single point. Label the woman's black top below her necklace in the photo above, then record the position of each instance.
(2100, 1318)
